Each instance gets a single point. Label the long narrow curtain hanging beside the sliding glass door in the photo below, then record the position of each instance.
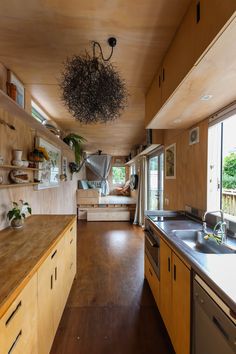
(142, 191)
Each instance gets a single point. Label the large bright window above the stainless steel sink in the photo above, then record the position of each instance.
(222, 165)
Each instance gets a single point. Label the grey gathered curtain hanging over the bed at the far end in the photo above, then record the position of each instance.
(101, 166)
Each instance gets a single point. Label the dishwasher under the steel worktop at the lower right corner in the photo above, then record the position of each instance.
(214, 327)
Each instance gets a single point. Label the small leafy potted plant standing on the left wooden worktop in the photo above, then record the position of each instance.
(18, 213)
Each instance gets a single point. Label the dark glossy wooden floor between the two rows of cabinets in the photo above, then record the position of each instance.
(110, 309)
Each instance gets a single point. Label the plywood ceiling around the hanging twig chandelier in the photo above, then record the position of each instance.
(37, 35)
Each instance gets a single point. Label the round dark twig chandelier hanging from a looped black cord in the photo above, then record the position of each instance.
(92, 88)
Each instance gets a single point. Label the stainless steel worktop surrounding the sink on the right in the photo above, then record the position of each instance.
(218, 270)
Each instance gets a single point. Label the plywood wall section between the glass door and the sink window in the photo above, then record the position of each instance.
(190, 185)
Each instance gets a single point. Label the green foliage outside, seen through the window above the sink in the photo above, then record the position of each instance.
(229, 171)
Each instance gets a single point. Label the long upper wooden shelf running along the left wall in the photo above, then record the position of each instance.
(13, 108)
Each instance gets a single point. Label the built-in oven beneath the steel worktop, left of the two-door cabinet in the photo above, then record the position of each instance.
(152, 246)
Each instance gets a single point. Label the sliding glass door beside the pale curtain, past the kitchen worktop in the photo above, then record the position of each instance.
(155, 180)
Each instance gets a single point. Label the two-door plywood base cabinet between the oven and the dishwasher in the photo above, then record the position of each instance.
(175, 298)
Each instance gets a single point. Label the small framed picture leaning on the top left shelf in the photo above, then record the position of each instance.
(15, 89)
